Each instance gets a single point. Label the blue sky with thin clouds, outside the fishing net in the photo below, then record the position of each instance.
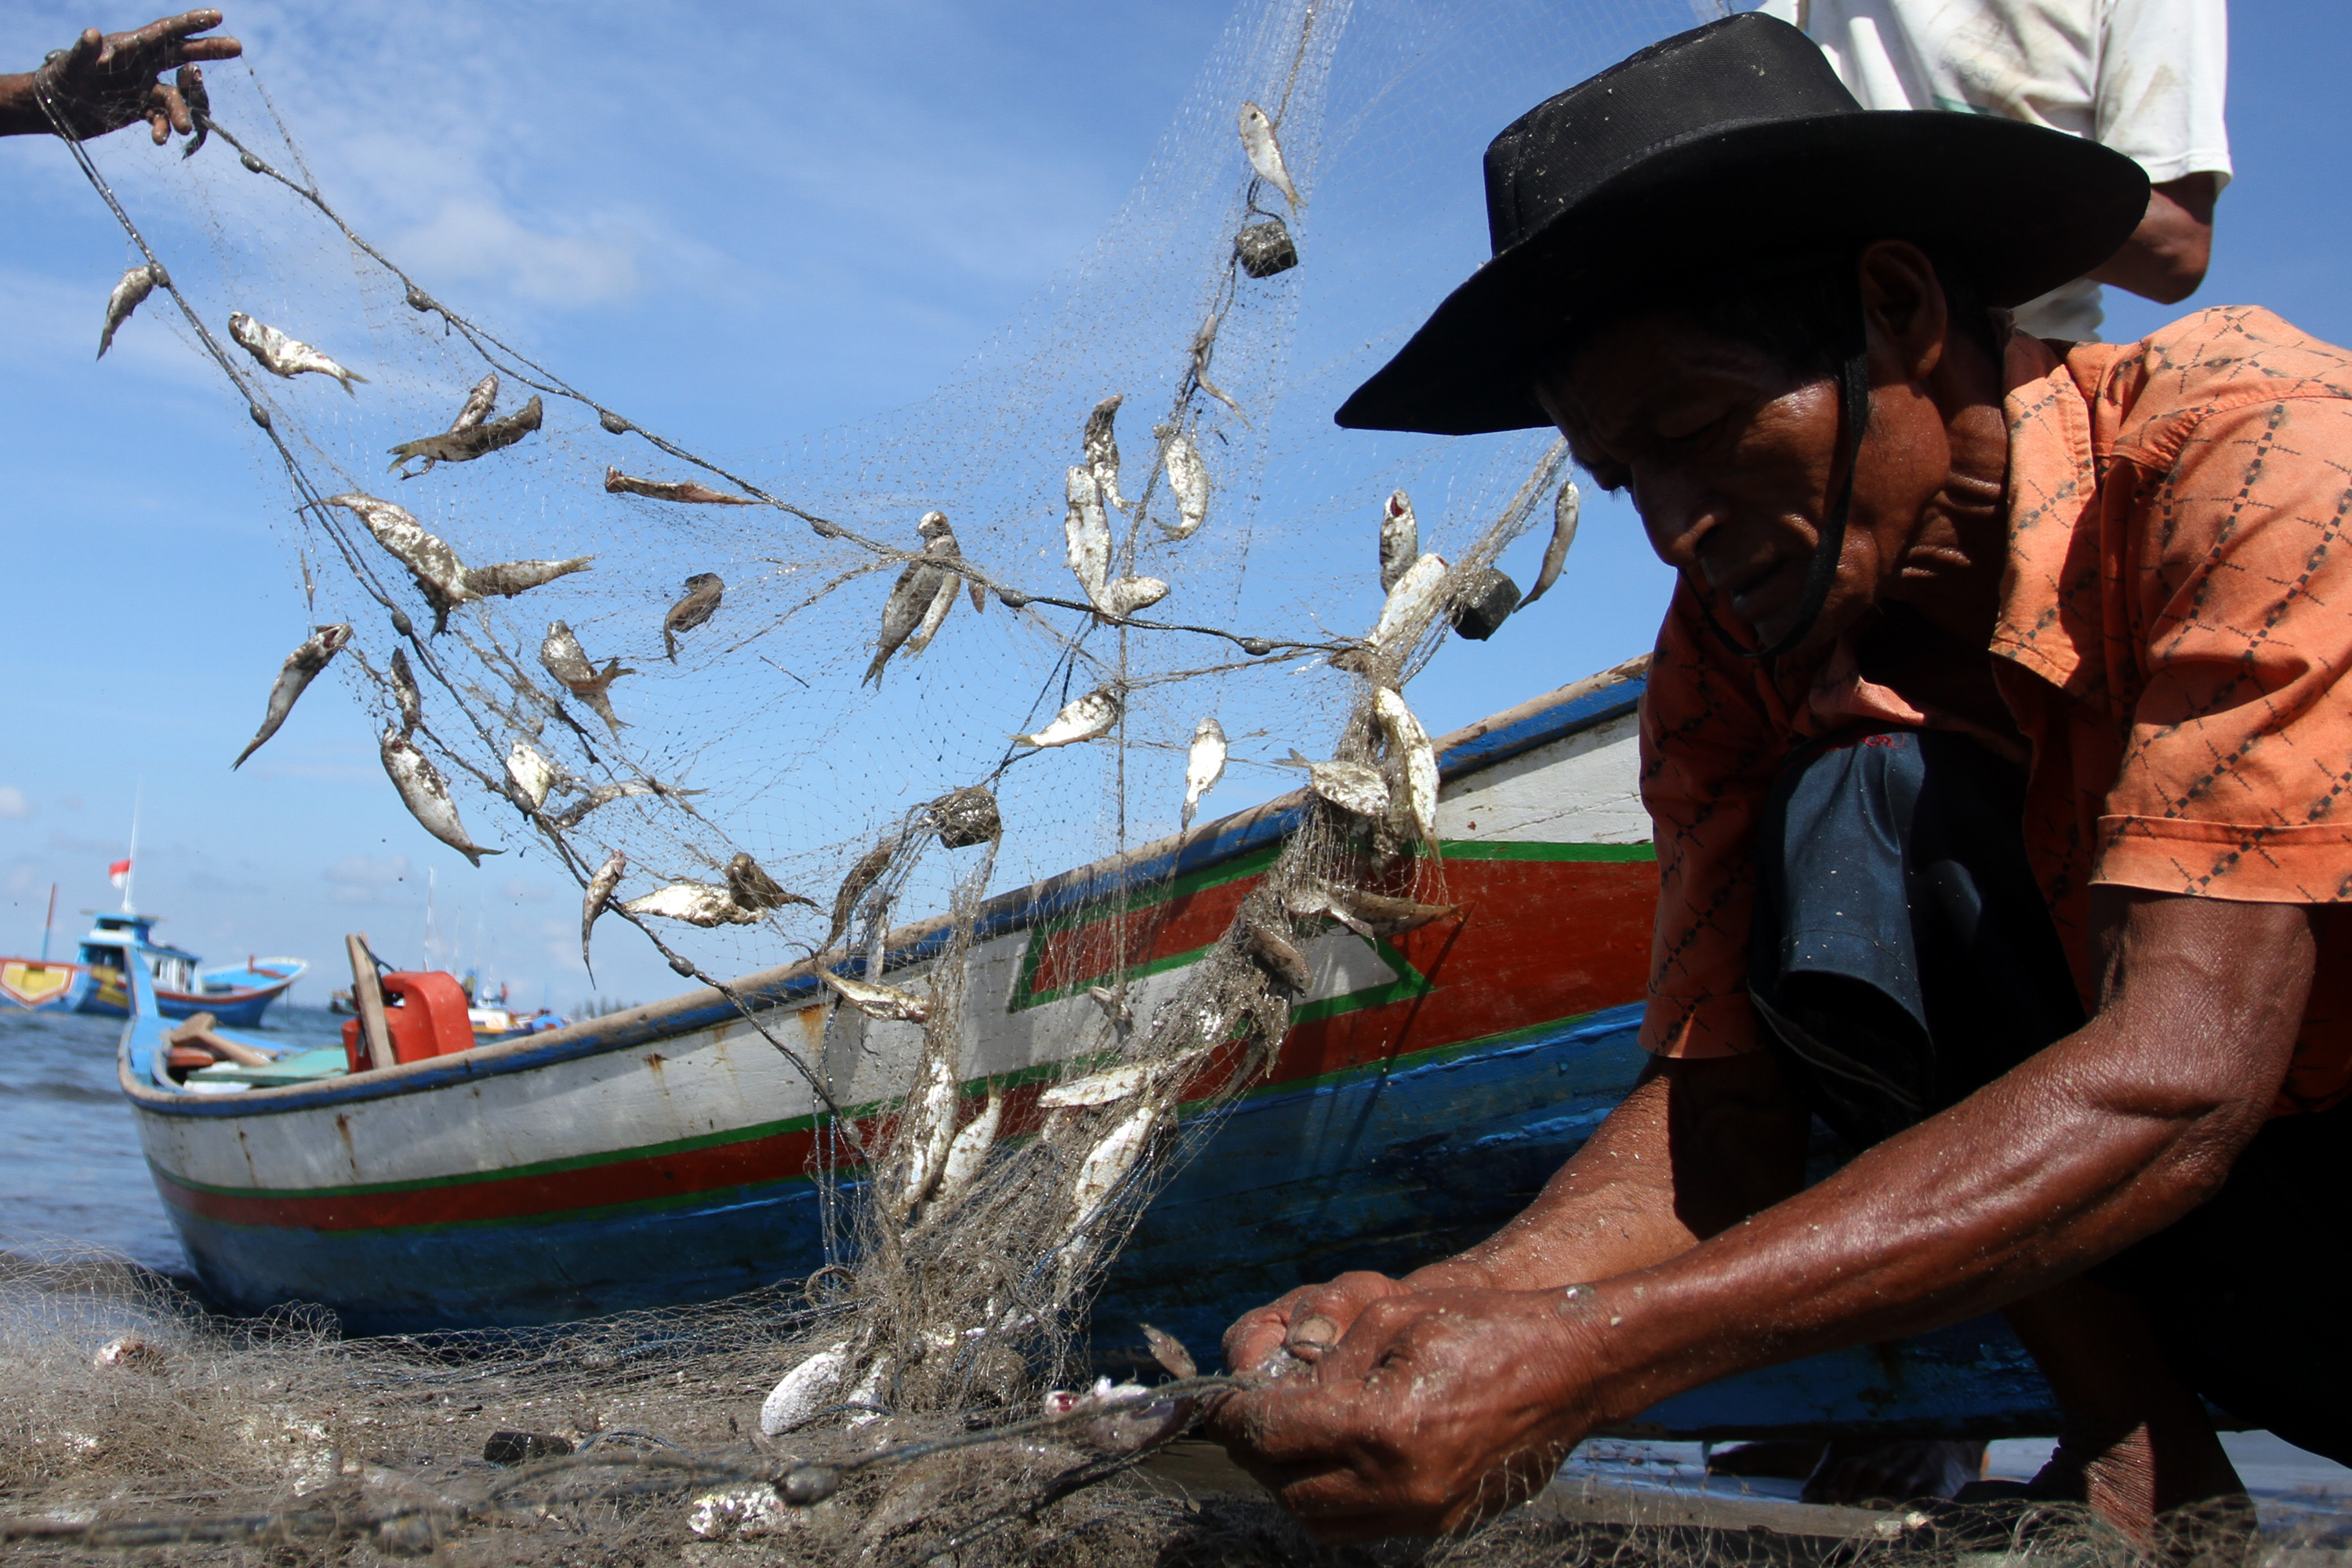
(761, 222)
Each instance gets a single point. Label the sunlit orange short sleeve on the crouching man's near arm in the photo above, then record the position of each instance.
(2238, 577)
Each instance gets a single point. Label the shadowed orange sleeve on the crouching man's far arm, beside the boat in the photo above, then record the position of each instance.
(1709, 756)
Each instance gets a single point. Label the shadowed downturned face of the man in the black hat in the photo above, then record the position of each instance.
(1730, 462)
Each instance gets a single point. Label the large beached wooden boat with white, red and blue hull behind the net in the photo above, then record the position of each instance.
(1424, 1094)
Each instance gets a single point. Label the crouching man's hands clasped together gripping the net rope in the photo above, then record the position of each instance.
(1434, 1412)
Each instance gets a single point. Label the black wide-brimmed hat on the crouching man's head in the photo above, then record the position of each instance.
(1716, 154)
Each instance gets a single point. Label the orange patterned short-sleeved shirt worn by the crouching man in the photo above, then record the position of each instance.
(2174, 622)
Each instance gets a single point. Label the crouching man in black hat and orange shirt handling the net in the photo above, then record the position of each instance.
(1998, 770)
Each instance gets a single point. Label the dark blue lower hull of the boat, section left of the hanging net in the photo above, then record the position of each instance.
(516, 1275)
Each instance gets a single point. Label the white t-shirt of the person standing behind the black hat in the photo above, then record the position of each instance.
(2141, 76)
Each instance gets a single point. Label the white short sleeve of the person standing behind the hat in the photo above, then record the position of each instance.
(2163, 86)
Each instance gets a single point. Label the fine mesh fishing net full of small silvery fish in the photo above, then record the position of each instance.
(777, 706)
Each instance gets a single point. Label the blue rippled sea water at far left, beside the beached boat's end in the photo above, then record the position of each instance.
(69, 1153)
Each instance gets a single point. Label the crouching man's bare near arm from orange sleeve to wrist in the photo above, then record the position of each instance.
(2099, 1141)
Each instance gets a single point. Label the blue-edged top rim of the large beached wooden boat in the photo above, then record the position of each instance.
(1542, 721)
